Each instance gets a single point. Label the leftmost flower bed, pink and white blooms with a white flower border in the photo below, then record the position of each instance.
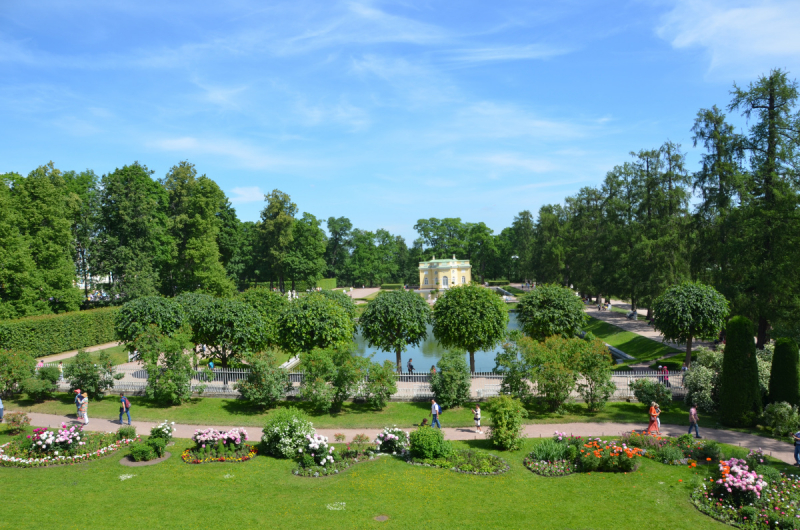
(67, 445)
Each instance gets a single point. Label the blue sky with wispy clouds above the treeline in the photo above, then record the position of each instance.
(383, 112)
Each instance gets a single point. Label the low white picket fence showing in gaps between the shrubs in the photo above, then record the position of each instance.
(409, 386)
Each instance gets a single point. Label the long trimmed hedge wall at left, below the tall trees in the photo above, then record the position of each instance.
(51, 334)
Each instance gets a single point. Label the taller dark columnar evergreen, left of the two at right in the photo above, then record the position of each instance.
(740, 396)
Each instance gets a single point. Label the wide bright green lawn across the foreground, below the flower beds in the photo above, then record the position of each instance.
(263, 492)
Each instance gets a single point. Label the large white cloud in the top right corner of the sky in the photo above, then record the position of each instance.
(744, 38)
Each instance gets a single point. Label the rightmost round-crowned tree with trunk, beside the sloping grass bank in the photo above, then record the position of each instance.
(689, 310)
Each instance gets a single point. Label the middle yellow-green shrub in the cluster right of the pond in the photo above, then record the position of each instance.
(554, 365)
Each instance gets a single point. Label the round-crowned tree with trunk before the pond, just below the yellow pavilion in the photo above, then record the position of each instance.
(469, 317)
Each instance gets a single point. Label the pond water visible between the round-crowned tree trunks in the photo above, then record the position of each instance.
(430, 351)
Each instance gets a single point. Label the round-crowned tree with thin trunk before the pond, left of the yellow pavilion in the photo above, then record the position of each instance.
(394, 321)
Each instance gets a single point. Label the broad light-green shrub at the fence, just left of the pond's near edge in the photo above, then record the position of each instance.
(331, 376)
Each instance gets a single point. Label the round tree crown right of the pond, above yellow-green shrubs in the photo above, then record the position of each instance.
(550, 310)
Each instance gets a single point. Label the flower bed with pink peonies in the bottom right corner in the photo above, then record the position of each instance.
(745, 497)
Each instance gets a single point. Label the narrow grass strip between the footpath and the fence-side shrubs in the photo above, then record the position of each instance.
(218, 411)
